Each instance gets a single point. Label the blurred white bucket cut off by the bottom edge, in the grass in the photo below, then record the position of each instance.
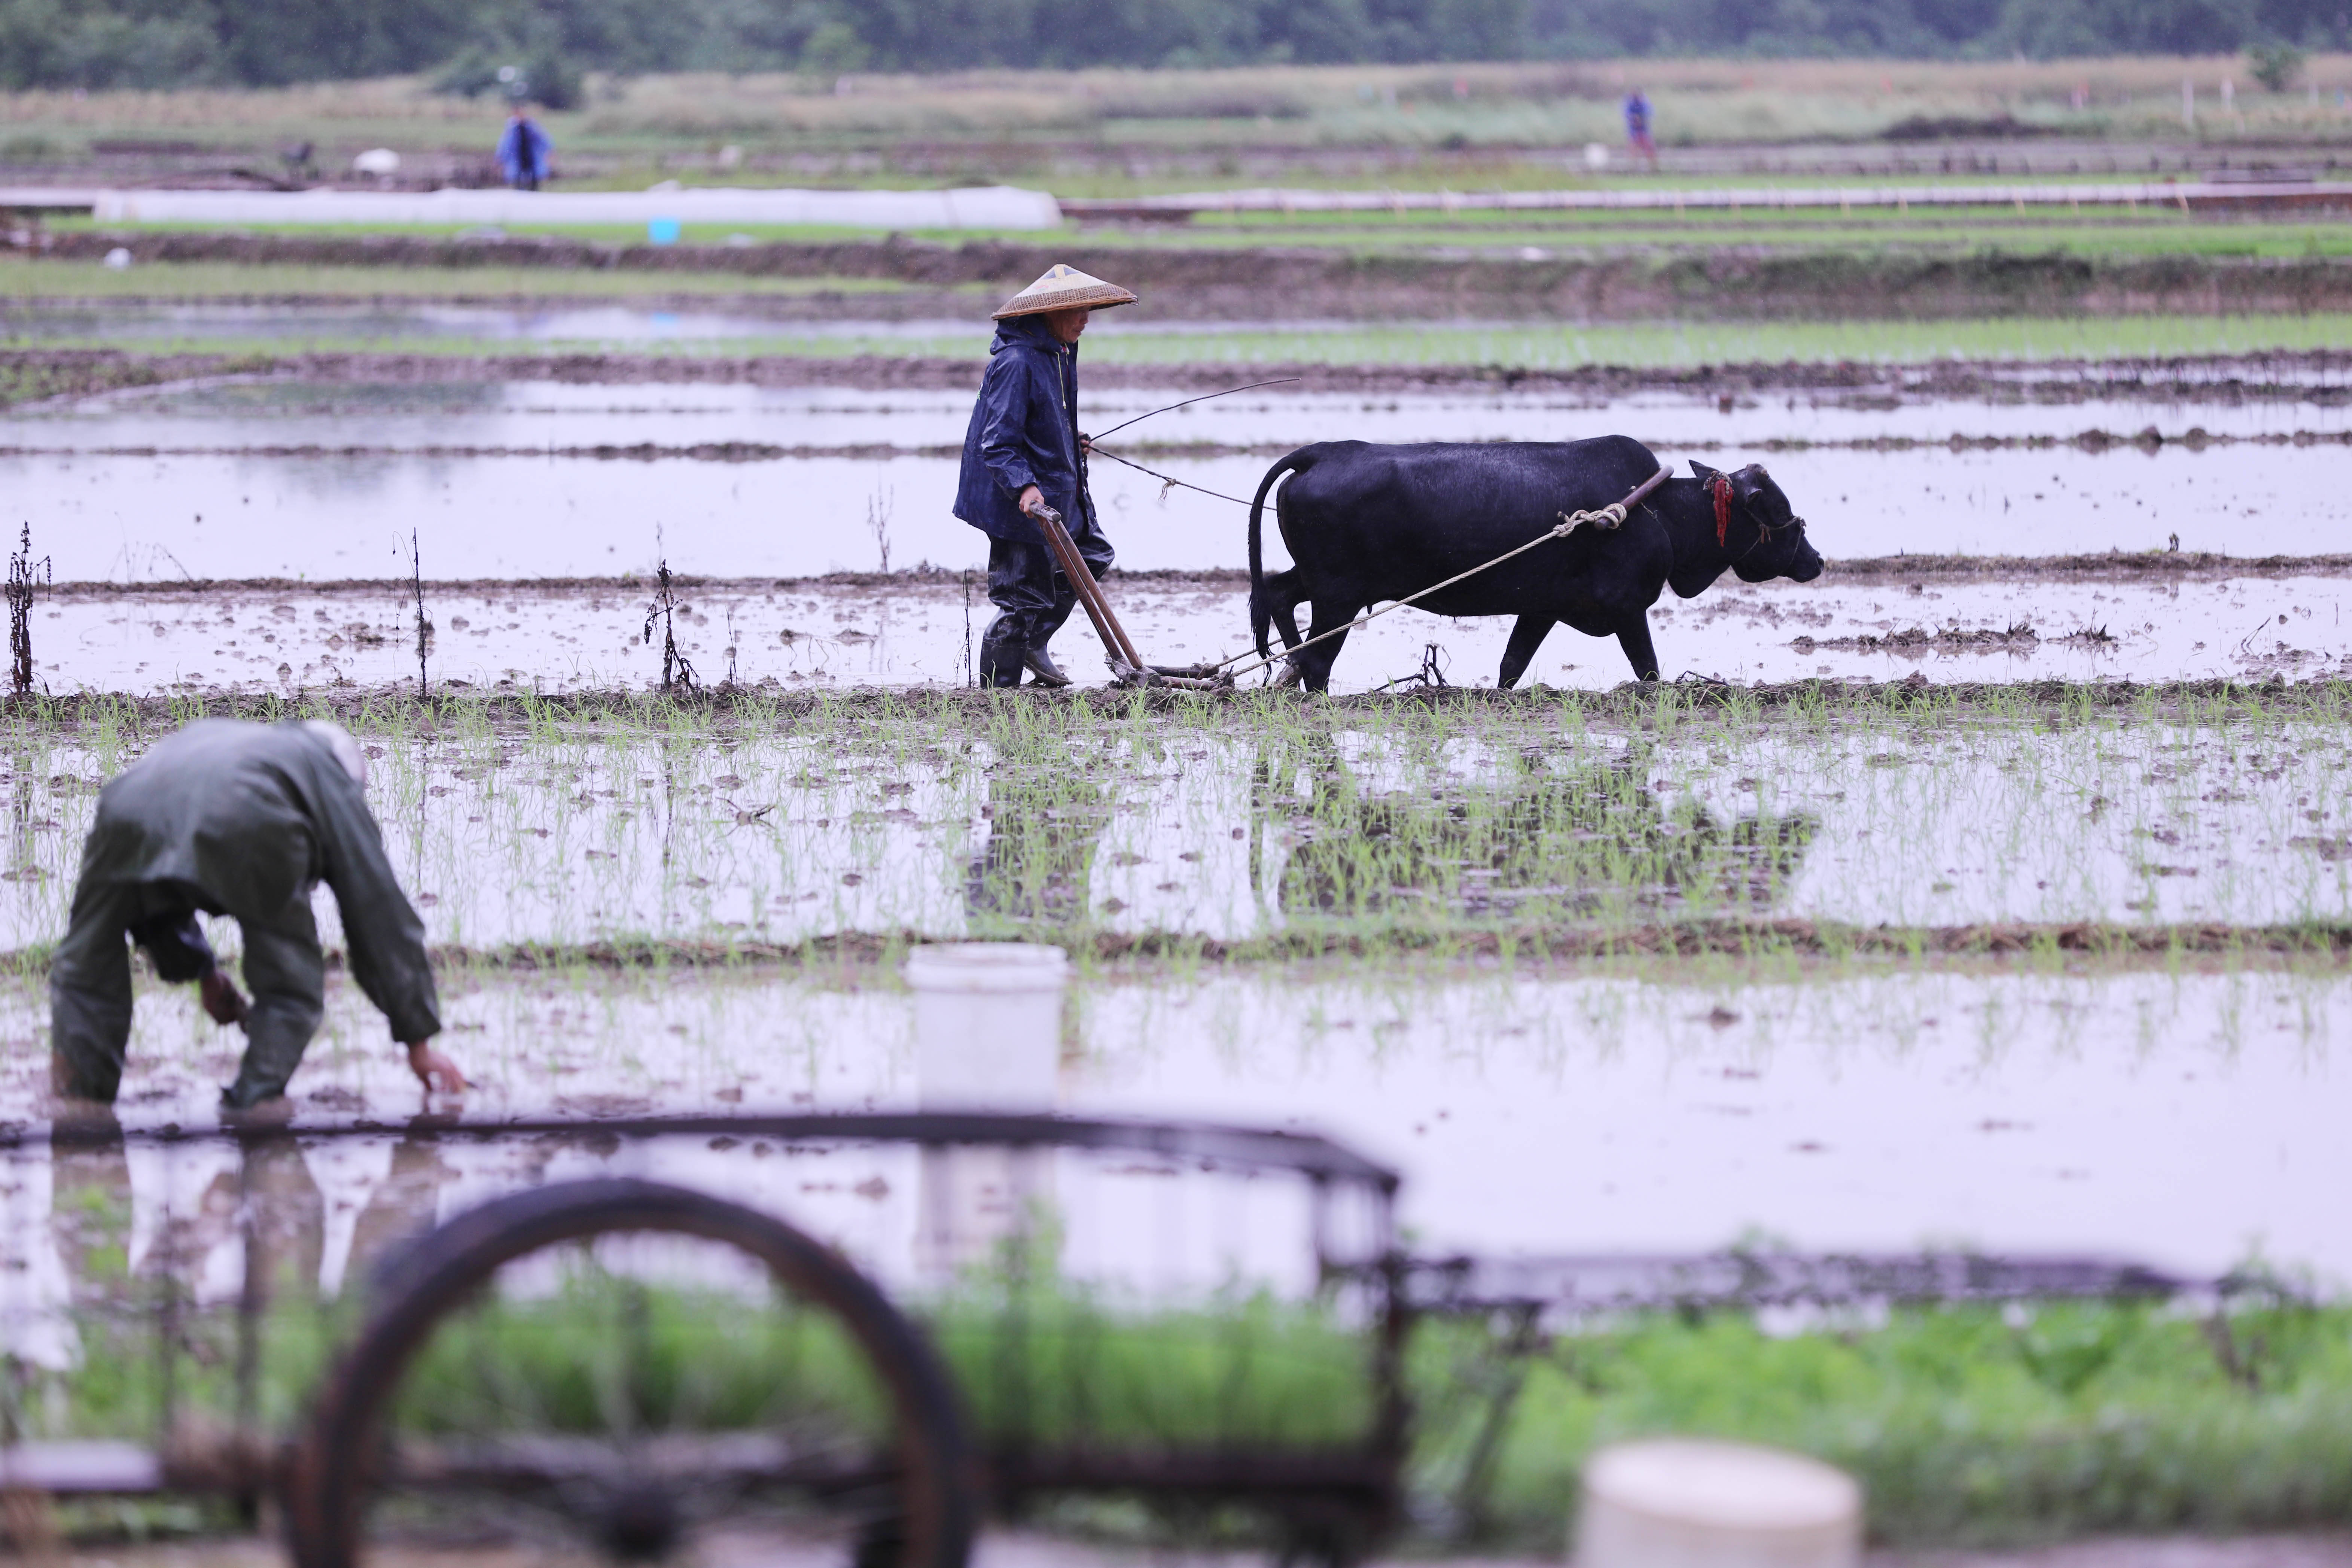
(1685, 1503)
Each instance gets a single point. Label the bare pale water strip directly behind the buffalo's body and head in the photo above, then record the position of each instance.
(335, 516)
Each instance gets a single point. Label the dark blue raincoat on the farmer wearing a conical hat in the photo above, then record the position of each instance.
(1024, 431)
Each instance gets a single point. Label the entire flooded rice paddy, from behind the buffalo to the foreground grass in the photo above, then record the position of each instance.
(2184, 1111)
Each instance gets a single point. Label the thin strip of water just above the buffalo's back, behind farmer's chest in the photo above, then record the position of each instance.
(537, 415)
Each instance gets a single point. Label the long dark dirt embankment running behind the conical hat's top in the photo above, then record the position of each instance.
(1339, 286)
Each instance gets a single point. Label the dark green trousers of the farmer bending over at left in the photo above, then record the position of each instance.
(91, 989)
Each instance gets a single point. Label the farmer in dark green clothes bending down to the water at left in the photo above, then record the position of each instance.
(239, 819)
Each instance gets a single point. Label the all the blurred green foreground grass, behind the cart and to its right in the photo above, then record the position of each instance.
(1967, 1426)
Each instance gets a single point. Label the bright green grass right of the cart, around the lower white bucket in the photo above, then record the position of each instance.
(1963, 1426)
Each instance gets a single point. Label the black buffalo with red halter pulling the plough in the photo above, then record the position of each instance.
(1384, 523)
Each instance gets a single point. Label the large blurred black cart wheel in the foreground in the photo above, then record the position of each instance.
(629, 1372)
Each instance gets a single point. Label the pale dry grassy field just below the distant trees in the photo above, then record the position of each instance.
(1041, 119)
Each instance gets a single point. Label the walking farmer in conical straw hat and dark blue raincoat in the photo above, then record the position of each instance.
(1024, 453)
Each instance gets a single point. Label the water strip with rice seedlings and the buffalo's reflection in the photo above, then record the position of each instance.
(1356, 829)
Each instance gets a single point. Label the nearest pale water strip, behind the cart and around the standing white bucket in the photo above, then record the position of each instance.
(2007, 1111)
